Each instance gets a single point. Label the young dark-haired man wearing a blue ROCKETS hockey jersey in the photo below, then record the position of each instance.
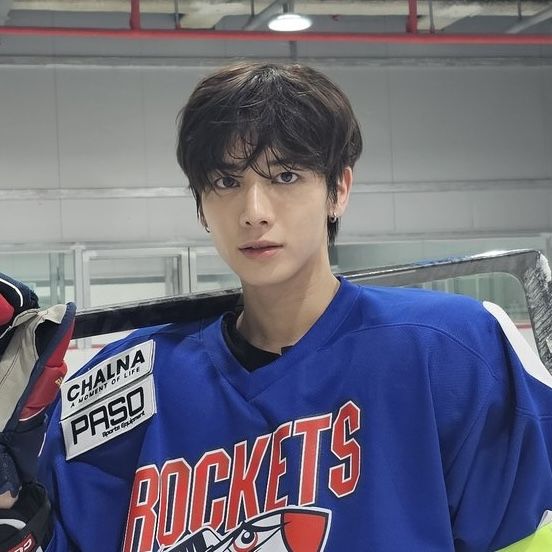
(322, 415)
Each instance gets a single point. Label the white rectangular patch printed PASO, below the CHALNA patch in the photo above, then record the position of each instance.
(109, 418)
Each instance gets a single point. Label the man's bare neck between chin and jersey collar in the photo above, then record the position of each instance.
(280, 315)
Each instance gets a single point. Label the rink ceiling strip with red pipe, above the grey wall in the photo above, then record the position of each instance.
(225, 22)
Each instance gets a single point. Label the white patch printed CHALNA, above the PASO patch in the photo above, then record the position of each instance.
(108, 376)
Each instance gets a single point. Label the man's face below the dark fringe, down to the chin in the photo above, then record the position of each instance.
(269, 229)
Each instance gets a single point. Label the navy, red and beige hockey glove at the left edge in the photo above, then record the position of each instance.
(33, 342)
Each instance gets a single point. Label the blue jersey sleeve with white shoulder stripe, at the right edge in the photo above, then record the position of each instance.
(499, 481)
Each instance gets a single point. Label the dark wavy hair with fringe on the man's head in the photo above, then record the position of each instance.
(247, 110)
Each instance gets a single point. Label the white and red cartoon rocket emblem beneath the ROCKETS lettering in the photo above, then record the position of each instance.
(286, 530)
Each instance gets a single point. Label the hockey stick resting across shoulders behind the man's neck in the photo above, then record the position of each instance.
(530, 267)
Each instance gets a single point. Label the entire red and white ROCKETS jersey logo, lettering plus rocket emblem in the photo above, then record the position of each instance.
(260, 488)
